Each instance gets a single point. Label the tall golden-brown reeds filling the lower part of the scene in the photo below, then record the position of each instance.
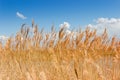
(81, 55)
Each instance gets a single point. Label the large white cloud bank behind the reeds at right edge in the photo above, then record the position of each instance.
(111, 24)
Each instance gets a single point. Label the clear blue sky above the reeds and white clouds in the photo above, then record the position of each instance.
(49, 12)
